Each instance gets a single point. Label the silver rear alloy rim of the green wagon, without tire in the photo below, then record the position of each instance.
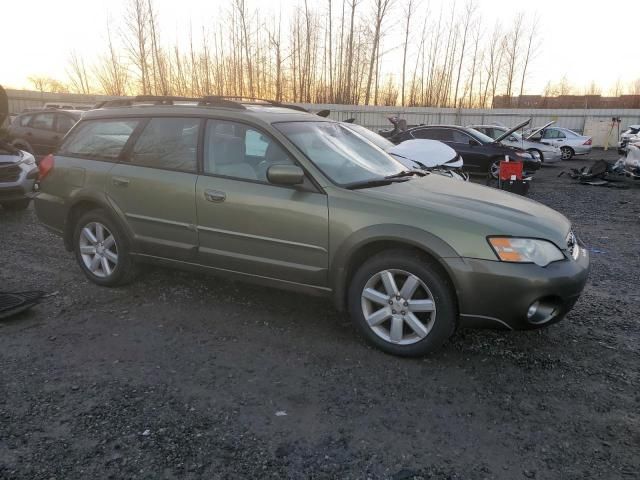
(98, 249)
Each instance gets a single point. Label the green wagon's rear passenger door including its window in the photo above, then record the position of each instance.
(153, 187)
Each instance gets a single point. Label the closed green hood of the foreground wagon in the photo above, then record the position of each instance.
(477, 207)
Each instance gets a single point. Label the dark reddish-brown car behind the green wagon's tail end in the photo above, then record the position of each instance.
(39, 132)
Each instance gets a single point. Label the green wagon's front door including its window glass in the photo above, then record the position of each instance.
(246, 224)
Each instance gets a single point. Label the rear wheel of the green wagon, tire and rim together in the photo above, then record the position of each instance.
(120, 268)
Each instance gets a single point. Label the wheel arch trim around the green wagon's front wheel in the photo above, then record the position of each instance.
(365, 243)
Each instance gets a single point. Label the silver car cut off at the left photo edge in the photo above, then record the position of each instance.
(18, 172)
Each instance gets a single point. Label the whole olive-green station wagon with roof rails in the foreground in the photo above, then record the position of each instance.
(287, 199)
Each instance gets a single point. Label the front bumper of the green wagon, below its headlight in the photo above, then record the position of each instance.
(493, 294)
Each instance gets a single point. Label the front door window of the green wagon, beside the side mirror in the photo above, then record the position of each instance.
(239, 151)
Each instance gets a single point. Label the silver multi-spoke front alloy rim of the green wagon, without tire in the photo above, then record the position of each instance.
(398, 307)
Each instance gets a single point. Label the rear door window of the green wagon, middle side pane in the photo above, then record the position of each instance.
(168, 143)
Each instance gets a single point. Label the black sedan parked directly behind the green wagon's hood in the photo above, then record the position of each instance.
(481, 153)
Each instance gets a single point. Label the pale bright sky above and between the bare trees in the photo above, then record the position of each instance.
(580, 39)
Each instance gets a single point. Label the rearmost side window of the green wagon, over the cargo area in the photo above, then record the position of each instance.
(100, 139)
